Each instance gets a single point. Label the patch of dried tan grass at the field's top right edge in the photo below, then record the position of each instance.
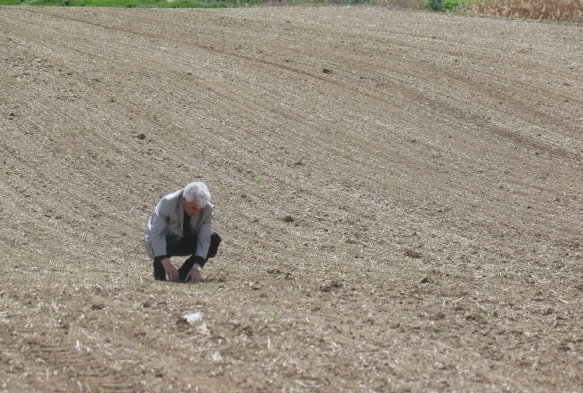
(550, 10)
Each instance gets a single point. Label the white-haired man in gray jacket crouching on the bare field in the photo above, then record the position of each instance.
(181, 226)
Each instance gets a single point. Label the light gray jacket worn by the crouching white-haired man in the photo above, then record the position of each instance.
(168, 220)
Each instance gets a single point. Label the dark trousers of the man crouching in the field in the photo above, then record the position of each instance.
(183, 247)
